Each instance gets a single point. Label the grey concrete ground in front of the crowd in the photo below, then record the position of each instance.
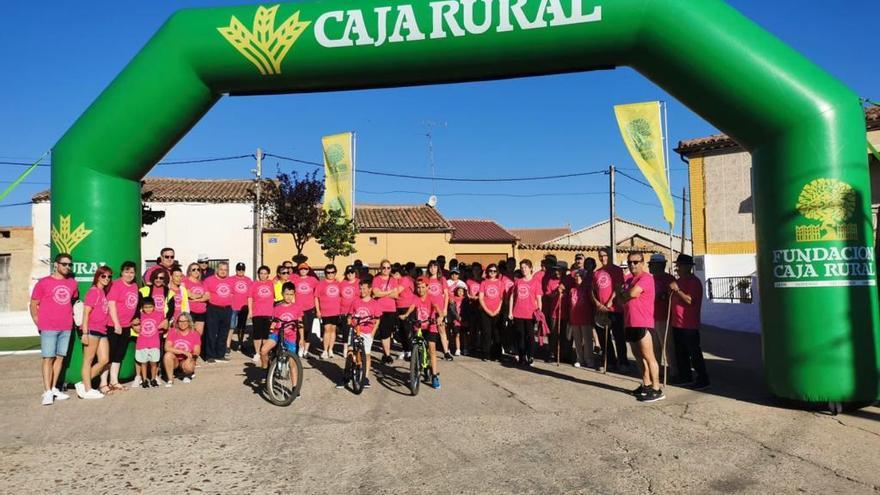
(490, 429)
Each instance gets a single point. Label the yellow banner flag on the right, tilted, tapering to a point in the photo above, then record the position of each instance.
(642, 133)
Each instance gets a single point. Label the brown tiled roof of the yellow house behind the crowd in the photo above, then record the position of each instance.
(399, 218)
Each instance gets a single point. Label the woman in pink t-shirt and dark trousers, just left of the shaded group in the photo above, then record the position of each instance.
(525, 300)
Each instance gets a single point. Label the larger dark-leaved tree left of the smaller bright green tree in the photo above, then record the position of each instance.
(293, 206)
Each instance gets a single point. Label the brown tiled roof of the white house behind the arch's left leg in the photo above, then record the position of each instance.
(170, 190)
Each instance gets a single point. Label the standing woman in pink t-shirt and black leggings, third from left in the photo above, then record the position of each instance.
(122, 306)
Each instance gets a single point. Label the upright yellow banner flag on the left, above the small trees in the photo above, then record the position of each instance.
(339, 172)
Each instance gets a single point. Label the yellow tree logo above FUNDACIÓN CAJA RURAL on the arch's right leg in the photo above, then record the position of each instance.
(831, 202)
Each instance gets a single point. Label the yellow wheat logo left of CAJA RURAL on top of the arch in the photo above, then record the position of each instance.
(264, 46)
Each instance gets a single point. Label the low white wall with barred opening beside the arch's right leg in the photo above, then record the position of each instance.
(730, 315)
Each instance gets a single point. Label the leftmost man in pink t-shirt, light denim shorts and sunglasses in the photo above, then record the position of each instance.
(51, 309)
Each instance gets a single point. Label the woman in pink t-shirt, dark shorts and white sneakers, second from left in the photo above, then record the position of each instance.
(94, 337)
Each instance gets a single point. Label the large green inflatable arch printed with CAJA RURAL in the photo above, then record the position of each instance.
(804, 128)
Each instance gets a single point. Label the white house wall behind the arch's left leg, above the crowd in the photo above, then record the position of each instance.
(221, 230)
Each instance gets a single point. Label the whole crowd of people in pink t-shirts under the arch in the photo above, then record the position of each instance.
(583, 314)
